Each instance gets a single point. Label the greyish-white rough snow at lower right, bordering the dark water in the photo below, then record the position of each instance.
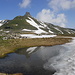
(64, 63)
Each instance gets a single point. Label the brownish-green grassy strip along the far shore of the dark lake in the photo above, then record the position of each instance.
(10, 45)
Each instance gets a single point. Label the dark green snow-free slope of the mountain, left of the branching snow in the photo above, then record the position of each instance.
(21, 24)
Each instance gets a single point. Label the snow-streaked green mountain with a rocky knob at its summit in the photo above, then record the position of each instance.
(28, 24)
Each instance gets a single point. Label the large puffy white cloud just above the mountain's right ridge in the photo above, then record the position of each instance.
(47, 15)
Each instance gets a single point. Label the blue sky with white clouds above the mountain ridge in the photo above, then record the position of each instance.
(57, 12)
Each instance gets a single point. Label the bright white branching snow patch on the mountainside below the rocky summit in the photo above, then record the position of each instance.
(34, 24)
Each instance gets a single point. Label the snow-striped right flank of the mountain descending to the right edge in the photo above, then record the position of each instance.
(46, 28)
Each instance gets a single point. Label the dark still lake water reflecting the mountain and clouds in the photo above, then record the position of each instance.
(31, 61)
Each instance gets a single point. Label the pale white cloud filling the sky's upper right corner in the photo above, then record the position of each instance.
(62, 4)
